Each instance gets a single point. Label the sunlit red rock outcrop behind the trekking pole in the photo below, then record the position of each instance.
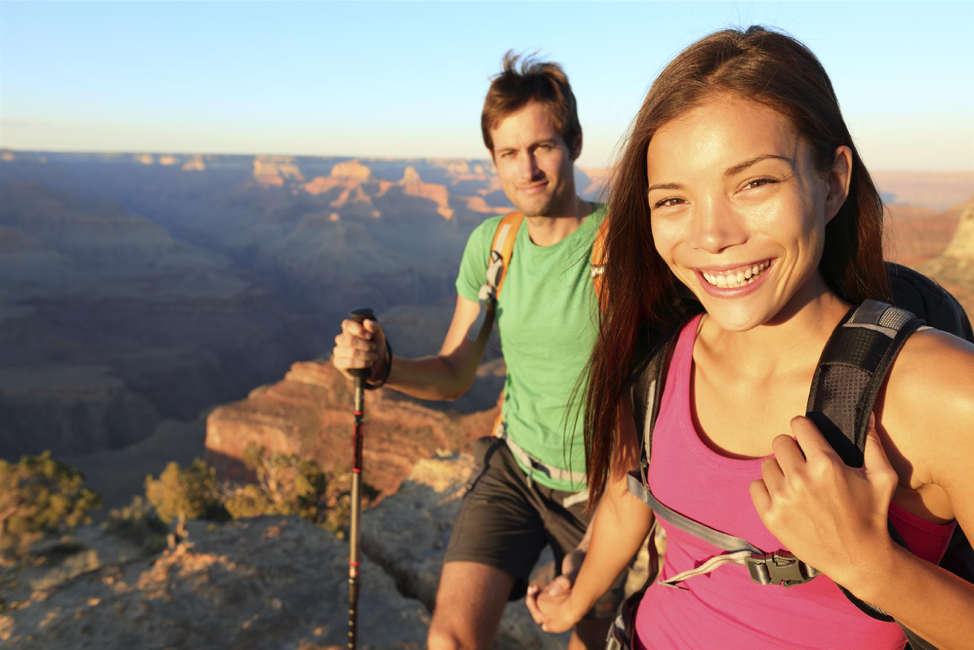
(309, 413)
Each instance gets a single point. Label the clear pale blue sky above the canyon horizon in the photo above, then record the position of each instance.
(407, 79)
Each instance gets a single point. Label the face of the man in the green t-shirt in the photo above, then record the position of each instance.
(534, 163)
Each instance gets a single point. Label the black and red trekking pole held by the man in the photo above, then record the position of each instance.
(360, 375)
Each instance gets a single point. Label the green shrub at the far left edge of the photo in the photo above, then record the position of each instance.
(40, 496)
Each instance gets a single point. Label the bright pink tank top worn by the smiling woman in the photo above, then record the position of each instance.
(725, 609)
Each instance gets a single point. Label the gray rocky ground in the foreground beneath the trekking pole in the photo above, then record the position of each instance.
(271, 582)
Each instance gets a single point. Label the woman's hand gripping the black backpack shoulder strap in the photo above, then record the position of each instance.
(830, 515)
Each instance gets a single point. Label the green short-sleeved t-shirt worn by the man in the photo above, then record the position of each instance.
(547, 315)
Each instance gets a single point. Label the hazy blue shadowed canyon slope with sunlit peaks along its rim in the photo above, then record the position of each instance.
(140, 288)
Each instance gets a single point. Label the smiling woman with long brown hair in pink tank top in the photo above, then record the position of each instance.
(741, 182)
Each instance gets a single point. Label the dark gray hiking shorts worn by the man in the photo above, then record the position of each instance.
(505, 521)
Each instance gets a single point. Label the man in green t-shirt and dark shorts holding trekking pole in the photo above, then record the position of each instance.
(529, 489)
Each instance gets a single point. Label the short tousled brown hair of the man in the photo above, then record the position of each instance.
(539, 81)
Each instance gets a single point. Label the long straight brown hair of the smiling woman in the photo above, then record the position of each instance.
(641, 294)
